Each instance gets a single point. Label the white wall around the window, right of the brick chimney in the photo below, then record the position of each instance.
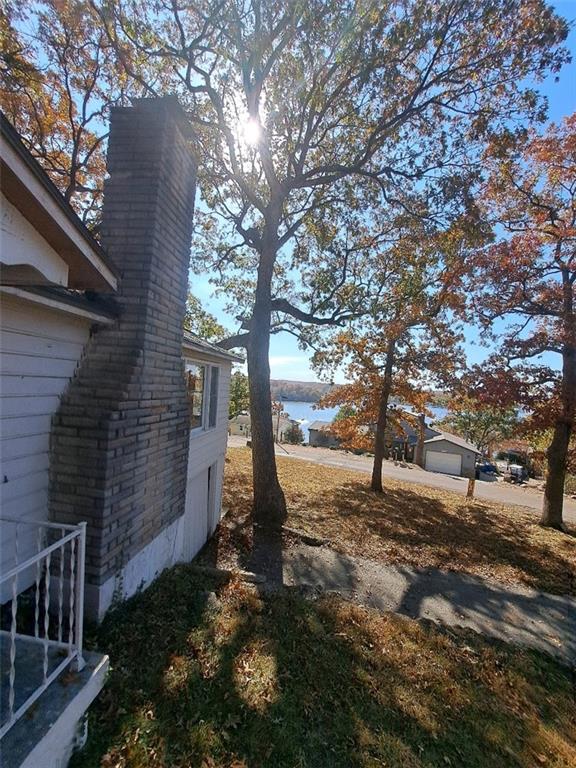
(207, 449)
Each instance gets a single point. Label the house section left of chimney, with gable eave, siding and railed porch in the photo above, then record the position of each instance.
(44, 327)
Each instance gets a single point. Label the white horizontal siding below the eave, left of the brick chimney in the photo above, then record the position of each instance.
(39, 351)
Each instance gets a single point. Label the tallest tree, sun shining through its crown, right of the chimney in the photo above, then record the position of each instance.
(297, 106)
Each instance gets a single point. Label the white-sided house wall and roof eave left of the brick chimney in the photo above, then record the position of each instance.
(44, 250)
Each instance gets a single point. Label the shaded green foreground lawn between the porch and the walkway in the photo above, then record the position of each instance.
(278, 682)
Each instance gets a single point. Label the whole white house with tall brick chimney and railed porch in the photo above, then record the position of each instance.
(114, 422)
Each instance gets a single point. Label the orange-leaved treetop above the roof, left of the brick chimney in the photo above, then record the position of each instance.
(66, 77)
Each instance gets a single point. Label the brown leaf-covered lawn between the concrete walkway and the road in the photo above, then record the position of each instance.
(408, 524)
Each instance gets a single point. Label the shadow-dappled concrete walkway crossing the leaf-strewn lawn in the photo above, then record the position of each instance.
(513, 614)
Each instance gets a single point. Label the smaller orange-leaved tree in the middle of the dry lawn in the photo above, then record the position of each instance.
(410, 340)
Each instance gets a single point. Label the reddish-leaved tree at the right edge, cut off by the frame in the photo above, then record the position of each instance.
(528, 278)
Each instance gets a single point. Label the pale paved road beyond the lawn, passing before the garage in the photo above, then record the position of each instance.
(499, 492)
